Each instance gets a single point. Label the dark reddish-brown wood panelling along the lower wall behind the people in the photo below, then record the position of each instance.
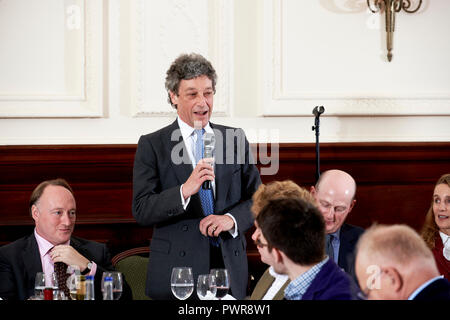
(395, 184)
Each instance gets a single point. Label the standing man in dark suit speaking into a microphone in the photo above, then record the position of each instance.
(194, 226)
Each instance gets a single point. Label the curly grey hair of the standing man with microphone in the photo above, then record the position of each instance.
(186, 67)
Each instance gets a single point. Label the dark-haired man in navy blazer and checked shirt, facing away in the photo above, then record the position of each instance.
(291, 238)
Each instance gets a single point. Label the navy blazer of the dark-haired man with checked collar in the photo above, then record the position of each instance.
(331, 283)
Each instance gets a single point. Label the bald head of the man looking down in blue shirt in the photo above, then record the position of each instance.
(334, 193)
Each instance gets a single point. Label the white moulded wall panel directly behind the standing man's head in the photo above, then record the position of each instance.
(160, 31)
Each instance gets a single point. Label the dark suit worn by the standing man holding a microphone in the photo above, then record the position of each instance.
(176, 239)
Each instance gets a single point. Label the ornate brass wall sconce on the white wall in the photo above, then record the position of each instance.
(390, 7)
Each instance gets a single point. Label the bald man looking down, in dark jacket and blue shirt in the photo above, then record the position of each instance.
(335, 196)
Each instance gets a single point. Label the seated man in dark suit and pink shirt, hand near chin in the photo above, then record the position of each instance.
(53, 208)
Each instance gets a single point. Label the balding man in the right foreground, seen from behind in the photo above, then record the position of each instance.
(394, 263)
